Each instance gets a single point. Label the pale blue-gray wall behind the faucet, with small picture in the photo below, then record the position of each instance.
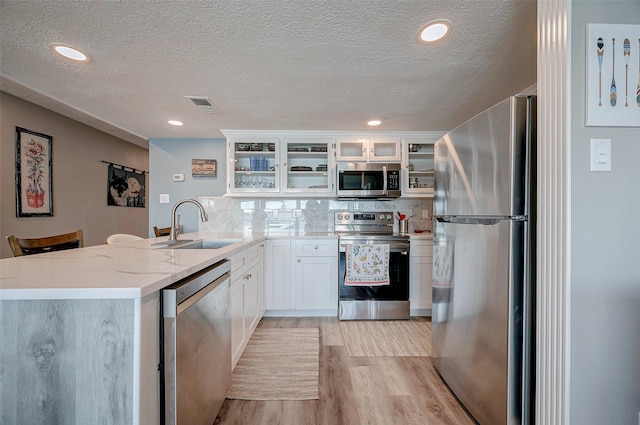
(173, 156)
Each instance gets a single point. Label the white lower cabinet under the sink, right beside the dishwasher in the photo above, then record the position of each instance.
(247, 297)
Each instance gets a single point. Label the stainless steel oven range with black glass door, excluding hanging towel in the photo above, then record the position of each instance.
(372, 302)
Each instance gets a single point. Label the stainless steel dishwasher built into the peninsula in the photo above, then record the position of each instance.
(196, 346)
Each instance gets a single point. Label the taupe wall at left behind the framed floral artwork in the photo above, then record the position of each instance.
(79, 178)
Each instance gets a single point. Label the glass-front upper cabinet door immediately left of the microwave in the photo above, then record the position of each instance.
(307, 166)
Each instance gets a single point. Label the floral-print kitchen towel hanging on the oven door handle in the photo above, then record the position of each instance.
(367, 264)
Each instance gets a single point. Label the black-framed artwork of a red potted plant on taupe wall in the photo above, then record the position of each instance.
(34, 197)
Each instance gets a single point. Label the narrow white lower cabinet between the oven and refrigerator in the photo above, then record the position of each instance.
(420, 277)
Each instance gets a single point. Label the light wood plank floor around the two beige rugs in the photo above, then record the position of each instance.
(355, 390)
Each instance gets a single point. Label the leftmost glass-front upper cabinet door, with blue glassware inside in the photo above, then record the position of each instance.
(255, 165)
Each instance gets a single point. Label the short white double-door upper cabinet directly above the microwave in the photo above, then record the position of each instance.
(368, 149)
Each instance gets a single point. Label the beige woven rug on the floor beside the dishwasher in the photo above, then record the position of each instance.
(278, 364)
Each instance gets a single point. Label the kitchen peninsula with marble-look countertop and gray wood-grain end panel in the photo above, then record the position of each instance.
(80, 329)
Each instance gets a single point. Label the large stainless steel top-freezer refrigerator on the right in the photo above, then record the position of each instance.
(484, 262)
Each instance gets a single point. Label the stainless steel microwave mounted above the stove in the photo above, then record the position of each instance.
(368, 180)
